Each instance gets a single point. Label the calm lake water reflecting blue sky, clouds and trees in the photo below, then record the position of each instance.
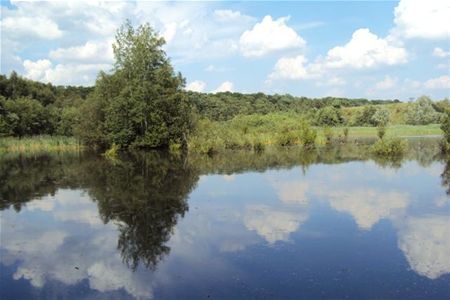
(331, 224)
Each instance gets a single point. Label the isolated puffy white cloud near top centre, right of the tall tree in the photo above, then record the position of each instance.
(269, 36)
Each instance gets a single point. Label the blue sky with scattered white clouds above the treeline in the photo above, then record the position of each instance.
(359, 49)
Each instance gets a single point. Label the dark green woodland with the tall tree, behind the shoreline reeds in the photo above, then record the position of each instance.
(142, 103)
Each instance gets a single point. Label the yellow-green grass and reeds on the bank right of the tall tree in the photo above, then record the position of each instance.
(255, 132)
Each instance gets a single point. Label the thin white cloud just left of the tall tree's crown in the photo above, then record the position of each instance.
(91, 51)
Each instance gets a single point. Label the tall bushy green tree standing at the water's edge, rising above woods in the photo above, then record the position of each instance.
(141, 104)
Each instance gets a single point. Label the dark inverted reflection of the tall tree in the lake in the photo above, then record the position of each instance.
(145, 194)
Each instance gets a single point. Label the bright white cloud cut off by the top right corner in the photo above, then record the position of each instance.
(422, 19)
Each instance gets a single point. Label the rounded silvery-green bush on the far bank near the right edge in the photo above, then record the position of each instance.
(422, 112)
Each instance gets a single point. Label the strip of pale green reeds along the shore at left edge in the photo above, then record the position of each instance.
(41, 143)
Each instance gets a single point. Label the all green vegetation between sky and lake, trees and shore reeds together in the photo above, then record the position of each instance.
(142, 104)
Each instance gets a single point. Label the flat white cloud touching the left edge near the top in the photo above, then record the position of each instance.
(41, 27)
